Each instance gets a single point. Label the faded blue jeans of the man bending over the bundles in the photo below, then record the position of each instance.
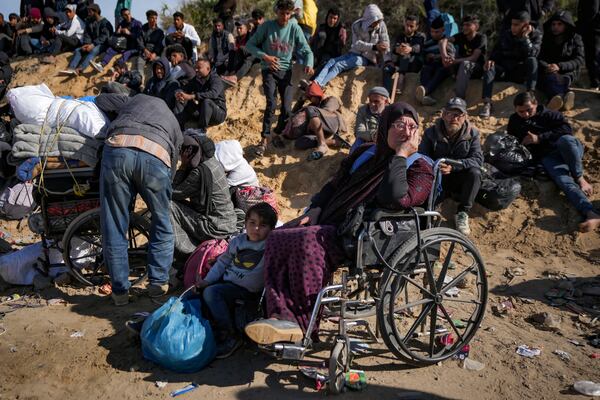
(126, 172)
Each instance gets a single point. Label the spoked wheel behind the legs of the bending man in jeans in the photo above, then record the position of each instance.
(82, 248)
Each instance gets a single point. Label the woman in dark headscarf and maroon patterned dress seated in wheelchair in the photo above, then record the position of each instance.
(301, 257)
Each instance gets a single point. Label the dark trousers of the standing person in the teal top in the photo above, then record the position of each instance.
(276, 82)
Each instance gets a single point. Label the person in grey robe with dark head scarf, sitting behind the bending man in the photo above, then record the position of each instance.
(201, 206)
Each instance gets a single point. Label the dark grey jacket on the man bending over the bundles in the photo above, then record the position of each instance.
(143, 115)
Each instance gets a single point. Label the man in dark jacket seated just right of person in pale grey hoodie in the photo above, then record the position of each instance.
(406, 54)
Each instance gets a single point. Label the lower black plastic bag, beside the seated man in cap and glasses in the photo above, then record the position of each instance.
(497, 190)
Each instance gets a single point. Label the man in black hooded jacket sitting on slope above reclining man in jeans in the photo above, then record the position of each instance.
(561, 58)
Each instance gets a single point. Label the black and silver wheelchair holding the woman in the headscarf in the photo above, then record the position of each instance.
(428, 293)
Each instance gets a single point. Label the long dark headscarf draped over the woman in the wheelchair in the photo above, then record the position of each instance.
(360, 186)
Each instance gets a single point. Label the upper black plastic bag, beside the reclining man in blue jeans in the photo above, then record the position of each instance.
(505, 152)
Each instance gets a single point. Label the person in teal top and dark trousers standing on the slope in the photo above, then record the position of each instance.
(274, 43)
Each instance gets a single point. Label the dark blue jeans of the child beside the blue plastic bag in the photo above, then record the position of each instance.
(220, 299)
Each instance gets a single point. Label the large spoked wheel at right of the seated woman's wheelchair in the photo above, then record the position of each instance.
(434, 302)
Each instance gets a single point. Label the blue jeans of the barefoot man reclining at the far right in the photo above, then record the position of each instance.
(564, 167)
